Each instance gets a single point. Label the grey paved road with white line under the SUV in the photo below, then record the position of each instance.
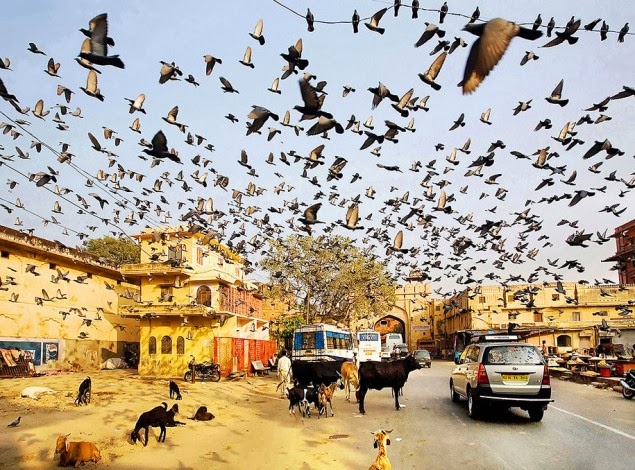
(584, 428)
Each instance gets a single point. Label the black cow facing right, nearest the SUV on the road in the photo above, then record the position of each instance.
(377, 375)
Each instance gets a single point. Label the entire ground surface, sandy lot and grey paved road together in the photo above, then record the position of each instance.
(585, 428)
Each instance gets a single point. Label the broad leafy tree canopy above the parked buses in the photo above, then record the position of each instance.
(329, 277)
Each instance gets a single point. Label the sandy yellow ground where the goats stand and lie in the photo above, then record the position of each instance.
(252, 429)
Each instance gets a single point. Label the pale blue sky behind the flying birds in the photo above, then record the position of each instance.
(183, 32)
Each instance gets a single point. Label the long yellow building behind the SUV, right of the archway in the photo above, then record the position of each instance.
(567, 315)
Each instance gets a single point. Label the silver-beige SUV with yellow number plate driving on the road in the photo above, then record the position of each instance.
(500, 371)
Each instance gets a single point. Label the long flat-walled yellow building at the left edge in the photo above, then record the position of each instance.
(61, 304)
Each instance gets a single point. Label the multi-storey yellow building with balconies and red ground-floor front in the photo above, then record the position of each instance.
(195, 301)
